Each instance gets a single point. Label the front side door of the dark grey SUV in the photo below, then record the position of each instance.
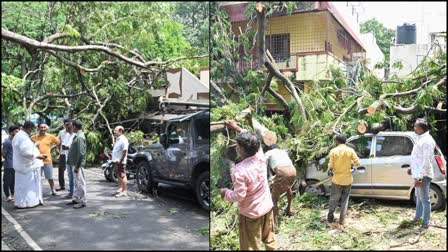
(177, 152)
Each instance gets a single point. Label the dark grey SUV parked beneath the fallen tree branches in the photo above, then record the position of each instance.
(182, 157)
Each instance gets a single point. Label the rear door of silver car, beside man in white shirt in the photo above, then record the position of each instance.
(390, 164)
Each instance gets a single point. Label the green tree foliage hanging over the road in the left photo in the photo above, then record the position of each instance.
(90, 85)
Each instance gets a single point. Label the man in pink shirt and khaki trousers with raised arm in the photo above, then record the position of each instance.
(251, 192)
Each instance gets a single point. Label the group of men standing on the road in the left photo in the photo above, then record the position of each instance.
(27, 156)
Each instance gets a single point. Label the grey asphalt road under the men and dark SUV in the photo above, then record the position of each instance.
(171, 221)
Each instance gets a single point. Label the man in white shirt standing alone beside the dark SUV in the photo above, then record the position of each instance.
(119, 154)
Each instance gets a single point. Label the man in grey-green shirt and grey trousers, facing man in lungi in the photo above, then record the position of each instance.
(77, 160)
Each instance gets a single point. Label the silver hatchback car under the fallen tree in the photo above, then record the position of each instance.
(385, 159)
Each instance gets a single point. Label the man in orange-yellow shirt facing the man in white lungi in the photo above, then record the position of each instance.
(45, 142)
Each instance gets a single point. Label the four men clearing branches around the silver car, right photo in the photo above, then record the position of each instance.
(258, 205)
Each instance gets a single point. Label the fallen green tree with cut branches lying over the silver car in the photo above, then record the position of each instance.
(309, 121)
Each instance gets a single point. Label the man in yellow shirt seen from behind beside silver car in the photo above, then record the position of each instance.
(341, 158)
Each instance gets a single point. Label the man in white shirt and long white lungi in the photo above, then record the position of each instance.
(27, 161)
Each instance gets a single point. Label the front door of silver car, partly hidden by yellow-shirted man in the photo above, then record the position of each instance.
(362, 177)
